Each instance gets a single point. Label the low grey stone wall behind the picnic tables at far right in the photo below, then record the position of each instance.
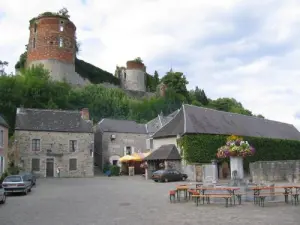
(273, 171)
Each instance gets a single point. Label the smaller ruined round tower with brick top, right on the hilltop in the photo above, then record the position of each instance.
(133, 77)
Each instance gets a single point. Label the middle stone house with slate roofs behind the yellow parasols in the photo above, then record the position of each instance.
(116, 138)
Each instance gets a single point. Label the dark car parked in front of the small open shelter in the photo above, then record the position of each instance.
(168, 175)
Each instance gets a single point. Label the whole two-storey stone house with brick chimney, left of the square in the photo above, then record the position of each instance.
(51, 139)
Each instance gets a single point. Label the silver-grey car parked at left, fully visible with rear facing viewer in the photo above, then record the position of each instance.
(17, 184)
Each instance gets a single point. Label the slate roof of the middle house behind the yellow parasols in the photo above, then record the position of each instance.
(122, 126)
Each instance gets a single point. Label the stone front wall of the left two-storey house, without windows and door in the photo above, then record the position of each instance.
(56, 146)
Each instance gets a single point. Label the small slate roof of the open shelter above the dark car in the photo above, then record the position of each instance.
(164, 152)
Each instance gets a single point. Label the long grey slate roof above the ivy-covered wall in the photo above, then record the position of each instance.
(198, 120)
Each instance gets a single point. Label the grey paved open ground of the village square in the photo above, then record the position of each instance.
(128, 201)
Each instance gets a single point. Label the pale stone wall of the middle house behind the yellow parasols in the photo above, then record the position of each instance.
(110, 146)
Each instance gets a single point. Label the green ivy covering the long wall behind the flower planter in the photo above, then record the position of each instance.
(202, 148)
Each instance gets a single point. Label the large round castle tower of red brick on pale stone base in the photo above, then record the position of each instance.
(52, 42)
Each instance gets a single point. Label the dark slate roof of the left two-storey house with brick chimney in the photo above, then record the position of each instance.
(52, 120)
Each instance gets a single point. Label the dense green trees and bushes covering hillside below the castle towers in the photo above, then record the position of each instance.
(32, 88)
